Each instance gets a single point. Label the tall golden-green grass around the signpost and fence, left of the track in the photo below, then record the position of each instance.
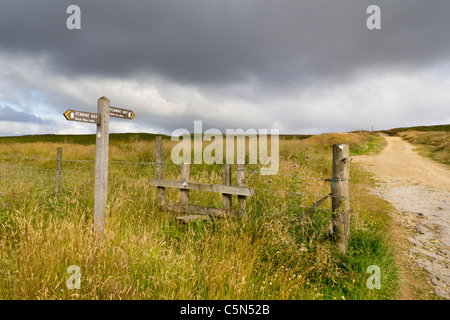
(276, 253)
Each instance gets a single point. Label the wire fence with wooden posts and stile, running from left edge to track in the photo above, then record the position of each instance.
(24, 177)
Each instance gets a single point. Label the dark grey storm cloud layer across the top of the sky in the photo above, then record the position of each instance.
(221, 42)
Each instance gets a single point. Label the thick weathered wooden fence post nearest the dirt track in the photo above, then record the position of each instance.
(340, 196)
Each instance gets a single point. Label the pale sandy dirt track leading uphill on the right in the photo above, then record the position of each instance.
(419, 188)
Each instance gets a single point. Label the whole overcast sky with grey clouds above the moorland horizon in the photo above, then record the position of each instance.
(297, 66)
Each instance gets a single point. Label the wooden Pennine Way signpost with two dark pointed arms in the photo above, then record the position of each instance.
(101, 119)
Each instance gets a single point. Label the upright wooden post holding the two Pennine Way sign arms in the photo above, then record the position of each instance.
(101, 164)
